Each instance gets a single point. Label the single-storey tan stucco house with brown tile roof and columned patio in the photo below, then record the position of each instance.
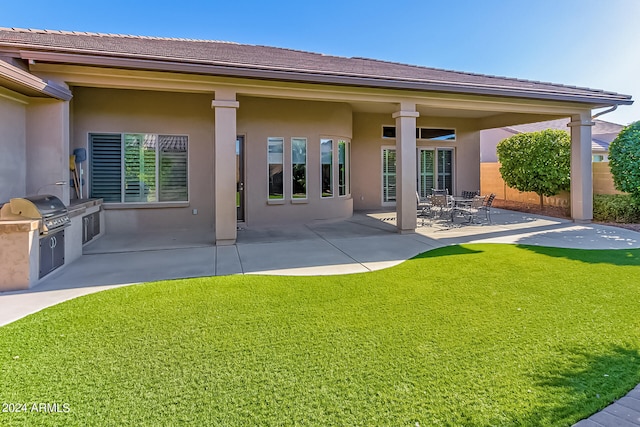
(190, 134)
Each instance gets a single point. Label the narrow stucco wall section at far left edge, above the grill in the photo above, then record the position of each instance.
(13, 140)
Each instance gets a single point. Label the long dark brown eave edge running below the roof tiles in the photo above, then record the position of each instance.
(238, 70)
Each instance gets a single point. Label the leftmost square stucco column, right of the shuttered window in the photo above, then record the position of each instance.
(225, 135)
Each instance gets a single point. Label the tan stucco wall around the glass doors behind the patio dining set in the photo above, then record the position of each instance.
(366, 164)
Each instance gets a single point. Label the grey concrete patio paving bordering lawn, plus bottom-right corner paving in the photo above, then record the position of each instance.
(365, 242)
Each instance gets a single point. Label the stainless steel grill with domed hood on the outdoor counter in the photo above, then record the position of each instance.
(49, 210)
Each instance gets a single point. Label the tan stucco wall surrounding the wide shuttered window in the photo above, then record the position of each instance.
(112, 110)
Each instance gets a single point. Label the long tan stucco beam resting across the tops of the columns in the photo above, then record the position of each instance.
(386, 99)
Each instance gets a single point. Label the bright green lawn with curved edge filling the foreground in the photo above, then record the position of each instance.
(472, 335)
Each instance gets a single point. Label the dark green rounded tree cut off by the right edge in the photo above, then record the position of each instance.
(624, 160)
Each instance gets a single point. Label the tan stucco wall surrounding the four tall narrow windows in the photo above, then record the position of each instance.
(261, 118)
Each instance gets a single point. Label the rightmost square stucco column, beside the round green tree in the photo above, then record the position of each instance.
(581, 173)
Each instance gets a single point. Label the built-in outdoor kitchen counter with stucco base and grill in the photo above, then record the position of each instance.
(39, 235)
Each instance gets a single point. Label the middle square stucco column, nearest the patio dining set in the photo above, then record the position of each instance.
(406, 203)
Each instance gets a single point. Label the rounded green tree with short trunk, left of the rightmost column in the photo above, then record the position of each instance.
(536, 161)
